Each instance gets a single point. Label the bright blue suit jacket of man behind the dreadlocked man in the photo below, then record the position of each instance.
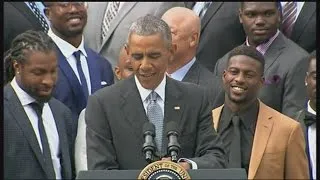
(68, 89)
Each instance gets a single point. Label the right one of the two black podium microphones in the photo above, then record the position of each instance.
(173, 145)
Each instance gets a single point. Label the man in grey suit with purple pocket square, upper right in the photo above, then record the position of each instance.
(285, 61)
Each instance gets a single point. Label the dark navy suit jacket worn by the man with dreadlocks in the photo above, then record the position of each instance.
(22, 154)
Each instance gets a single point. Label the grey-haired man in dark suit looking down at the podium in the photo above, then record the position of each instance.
(115, 115)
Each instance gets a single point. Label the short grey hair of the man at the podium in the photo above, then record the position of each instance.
(150, 25)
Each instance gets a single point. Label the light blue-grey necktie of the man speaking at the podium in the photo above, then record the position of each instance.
(155, 116)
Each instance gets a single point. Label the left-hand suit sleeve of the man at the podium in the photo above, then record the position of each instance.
(101, 154)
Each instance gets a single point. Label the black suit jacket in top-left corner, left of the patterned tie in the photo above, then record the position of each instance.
(17, 18)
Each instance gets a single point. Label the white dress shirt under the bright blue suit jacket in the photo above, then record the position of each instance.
(67, 50)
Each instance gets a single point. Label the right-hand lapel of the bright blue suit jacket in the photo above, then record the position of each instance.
(94, 71)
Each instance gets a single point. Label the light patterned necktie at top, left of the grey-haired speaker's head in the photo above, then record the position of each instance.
(110, 14)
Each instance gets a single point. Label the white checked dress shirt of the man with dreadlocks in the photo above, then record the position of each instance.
(48, 123)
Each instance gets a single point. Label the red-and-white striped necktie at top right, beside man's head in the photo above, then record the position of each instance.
(289, 16)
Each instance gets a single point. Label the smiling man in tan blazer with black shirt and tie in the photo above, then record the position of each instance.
(271, 145)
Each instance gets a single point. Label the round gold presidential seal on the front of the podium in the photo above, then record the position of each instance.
(164, 170)
